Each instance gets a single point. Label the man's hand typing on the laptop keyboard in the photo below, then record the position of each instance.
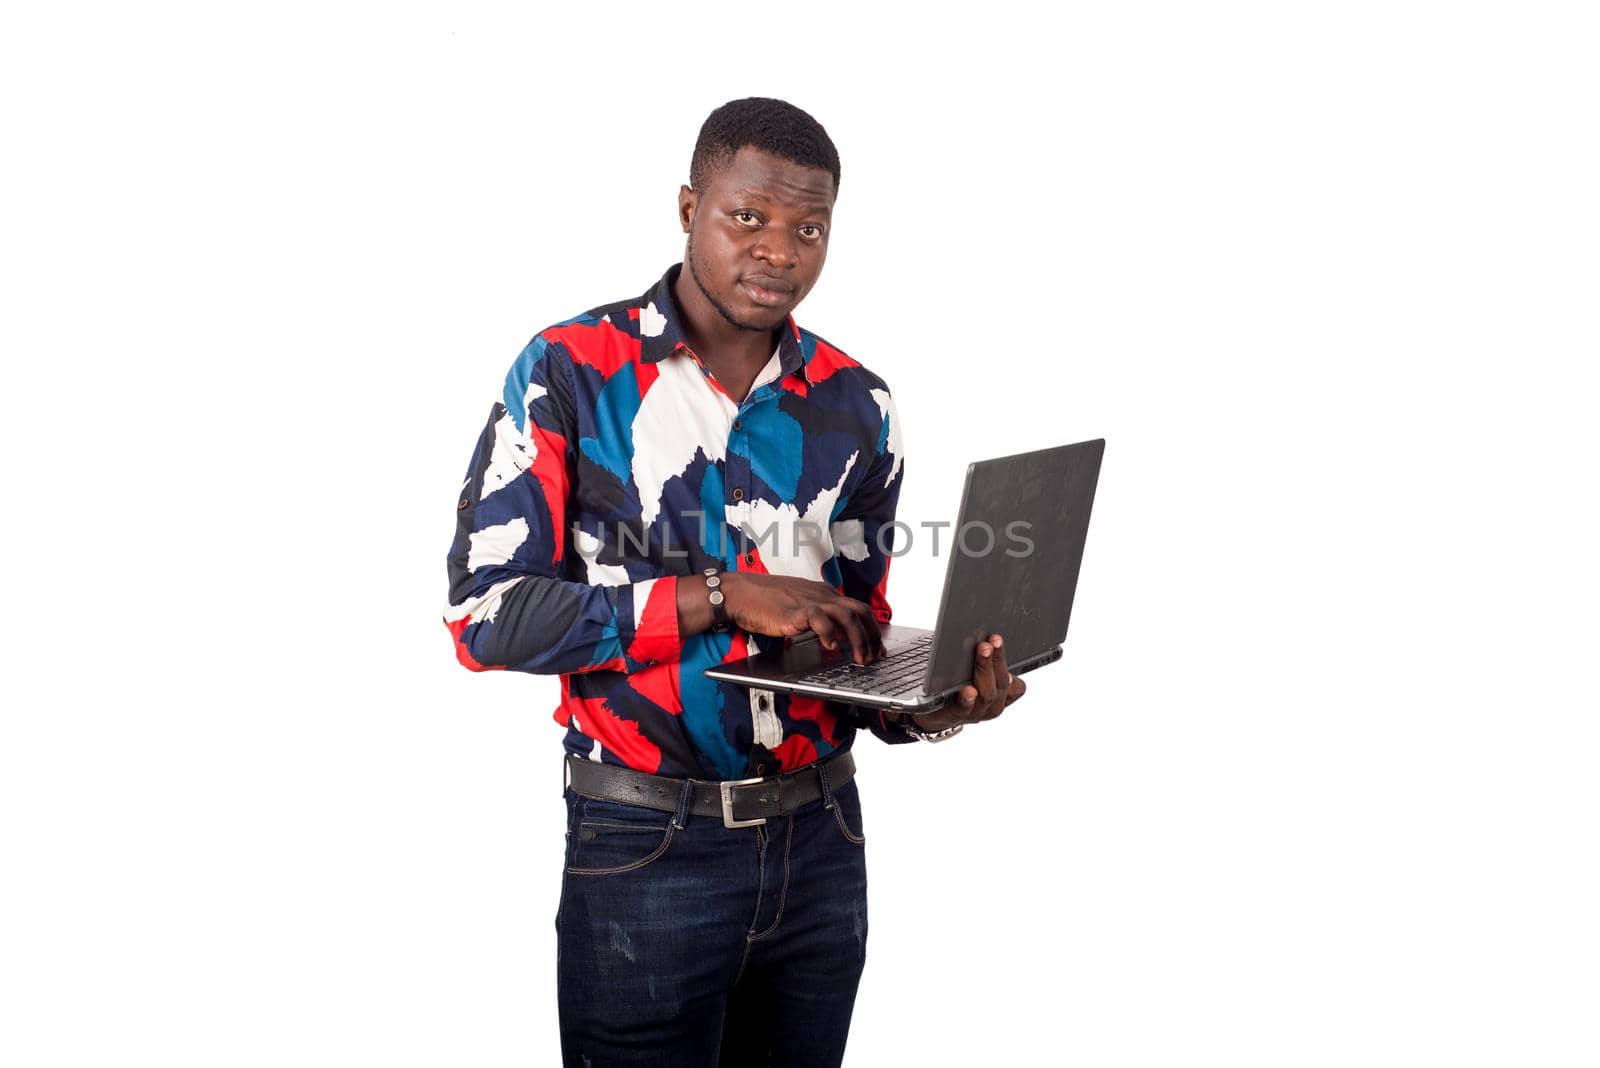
(783, 607)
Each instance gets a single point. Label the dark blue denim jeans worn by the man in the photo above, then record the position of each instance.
(686, 944)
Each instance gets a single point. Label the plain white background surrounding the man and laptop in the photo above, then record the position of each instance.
(1316, 781)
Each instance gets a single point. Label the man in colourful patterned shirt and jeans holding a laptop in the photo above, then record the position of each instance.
(668, 484)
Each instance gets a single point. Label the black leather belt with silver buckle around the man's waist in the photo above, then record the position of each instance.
(740, 803)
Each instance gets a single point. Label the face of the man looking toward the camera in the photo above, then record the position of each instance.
(758, 236)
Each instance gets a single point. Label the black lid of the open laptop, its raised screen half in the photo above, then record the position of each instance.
(1018, 583)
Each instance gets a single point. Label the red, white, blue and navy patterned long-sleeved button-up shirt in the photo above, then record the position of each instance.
(615, 466)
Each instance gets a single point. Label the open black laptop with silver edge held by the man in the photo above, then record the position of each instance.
(1014, 573)
